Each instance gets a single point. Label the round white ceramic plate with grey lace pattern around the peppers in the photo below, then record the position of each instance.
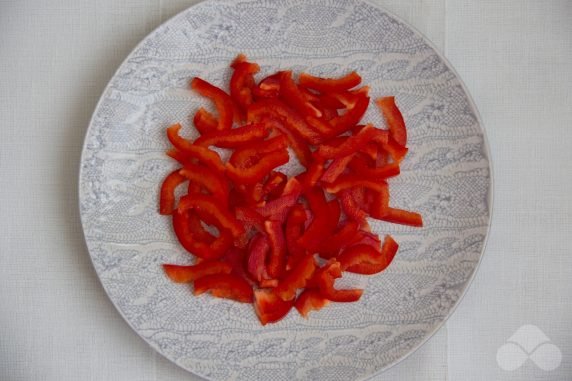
(446, 177)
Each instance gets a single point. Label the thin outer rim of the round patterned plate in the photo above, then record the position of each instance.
(474, 109)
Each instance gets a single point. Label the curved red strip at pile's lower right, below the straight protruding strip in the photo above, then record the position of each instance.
(362, 259)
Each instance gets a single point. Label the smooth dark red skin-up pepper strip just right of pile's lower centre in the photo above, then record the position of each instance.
(324, 222)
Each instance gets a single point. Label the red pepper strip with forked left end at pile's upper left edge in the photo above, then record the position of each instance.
(190, 152)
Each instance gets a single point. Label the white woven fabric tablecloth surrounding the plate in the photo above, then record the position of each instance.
(56, 57)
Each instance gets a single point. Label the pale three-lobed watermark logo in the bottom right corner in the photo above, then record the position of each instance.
(529, 342)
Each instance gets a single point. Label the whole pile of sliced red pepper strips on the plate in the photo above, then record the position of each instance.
(271, 230)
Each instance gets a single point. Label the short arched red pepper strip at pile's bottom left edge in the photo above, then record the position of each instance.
(226, 286)
